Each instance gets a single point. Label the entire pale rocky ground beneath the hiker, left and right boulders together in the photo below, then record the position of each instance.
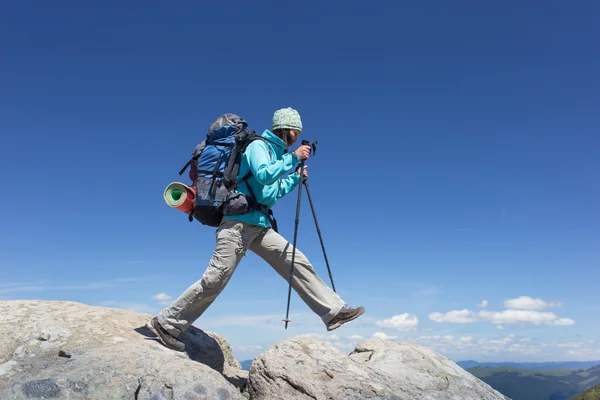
(68, 350)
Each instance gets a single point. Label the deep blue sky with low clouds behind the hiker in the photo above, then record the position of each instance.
(455, 180)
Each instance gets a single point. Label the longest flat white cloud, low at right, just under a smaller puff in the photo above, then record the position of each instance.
(501, 318)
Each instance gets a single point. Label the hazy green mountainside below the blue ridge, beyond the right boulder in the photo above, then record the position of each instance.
(522, 384)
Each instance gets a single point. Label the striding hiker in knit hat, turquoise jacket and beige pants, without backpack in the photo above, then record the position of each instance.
(269, 162)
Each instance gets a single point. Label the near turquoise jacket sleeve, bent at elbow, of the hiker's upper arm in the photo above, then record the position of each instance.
(265, 170)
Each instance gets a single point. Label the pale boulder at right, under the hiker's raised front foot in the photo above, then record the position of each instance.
(306, 368)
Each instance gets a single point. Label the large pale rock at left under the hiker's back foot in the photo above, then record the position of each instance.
(68, 350)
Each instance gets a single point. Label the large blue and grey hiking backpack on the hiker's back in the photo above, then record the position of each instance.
(214, 169)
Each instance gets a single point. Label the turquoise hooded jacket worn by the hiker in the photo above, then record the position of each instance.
(268, 182)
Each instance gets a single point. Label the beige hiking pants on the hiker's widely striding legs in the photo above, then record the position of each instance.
(233, 239)
